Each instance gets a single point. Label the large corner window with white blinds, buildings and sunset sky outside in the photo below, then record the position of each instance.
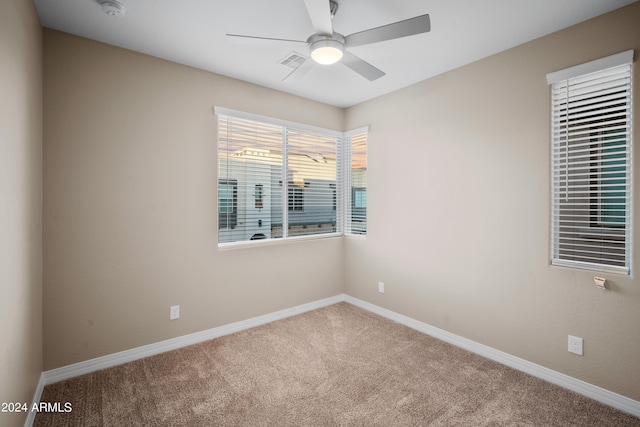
(279, 180)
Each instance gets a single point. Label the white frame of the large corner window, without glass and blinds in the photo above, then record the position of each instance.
(343, 172)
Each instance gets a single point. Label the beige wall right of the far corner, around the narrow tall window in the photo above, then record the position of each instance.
(459, 198)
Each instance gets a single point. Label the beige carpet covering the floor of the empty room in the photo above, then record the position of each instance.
(336, 366)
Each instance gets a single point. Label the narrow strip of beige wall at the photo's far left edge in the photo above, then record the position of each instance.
(21, 201)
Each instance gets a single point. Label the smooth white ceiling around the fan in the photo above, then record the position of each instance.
(192, 32)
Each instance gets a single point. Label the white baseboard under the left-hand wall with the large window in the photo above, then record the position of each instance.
(137, 353)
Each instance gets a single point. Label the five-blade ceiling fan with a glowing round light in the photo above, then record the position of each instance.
(328, 47)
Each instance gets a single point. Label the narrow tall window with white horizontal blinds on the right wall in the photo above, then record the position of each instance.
(591, 169)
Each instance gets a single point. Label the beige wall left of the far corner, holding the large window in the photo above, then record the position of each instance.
(130, 223)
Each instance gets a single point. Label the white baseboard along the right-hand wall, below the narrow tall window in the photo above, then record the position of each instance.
(599, 394)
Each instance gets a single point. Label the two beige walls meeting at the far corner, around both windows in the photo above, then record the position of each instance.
(130, 208)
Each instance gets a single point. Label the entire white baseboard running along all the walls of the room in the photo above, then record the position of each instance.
(599, 394)
